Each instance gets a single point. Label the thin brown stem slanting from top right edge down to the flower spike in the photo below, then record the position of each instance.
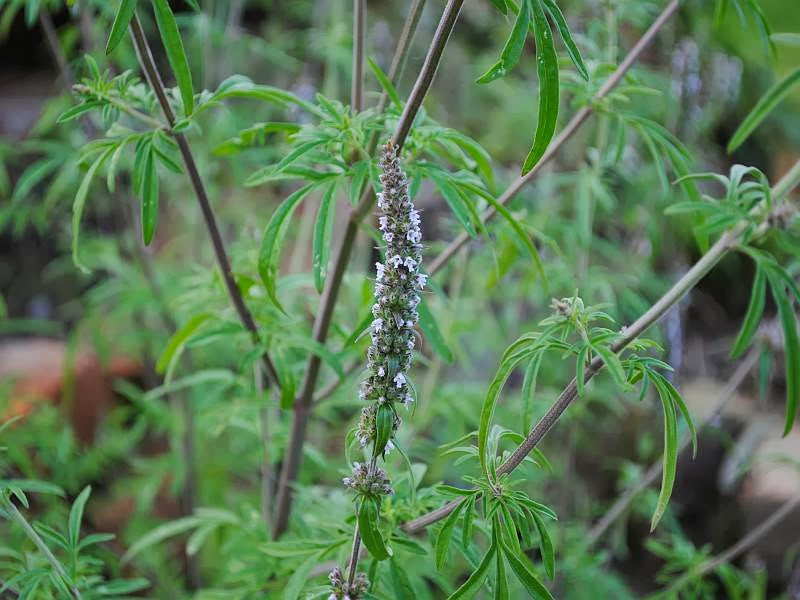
(565, 134)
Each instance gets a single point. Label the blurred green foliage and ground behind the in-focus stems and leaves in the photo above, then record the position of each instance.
(596, 213)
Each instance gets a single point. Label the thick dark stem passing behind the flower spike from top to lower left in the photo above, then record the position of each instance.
(302, 404)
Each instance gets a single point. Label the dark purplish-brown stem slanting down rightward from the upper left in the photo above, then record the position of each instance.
(154, 78)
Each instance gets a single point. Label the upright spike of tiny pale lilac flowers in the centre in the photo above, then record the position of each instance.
(398, 283)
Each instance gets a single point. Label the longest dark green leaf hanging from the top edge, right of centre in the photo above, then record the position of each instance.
(547, 68)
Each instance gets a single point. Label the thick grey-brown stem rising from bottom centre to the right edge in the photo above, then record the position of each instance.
(725, 244)
